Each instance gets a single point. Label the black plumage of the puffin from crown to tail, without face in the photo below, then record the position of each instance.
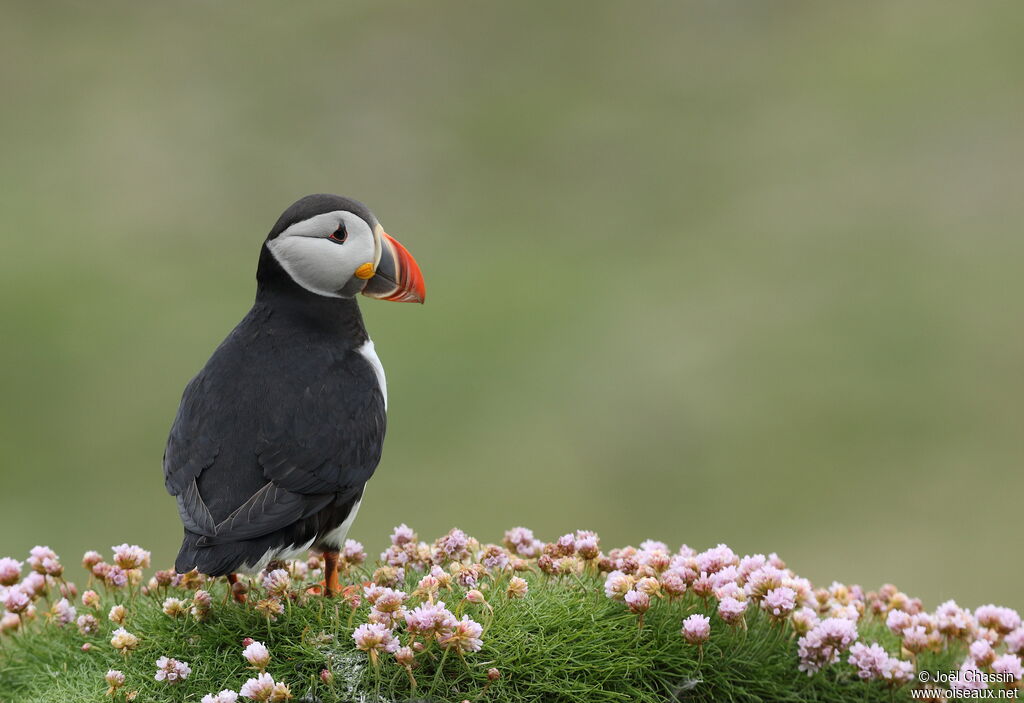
(277, 436)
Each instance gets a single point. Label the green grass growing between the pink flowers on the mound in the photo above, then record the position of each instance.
(565, 643)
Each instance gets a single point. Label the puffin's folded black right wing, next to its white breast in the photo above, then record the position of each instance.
(331, 441)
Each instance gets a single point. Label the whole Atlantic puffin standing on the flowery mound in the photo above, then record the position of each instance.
(279, 433)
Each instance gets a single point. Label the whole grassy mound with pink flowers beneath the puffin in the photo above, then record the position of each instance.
(457, 621)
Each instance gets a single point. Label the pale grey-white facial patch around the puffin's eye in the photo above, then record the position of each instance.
(318, 263)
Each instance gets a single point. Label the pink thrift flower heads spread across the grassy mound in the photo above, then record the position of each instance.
(402, 611)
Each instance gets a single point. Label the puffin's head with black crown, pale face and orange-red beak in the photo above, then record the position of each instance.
(335, 247)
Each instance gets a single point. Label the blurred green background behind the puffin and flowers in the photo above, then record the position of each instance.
(716, 272)
